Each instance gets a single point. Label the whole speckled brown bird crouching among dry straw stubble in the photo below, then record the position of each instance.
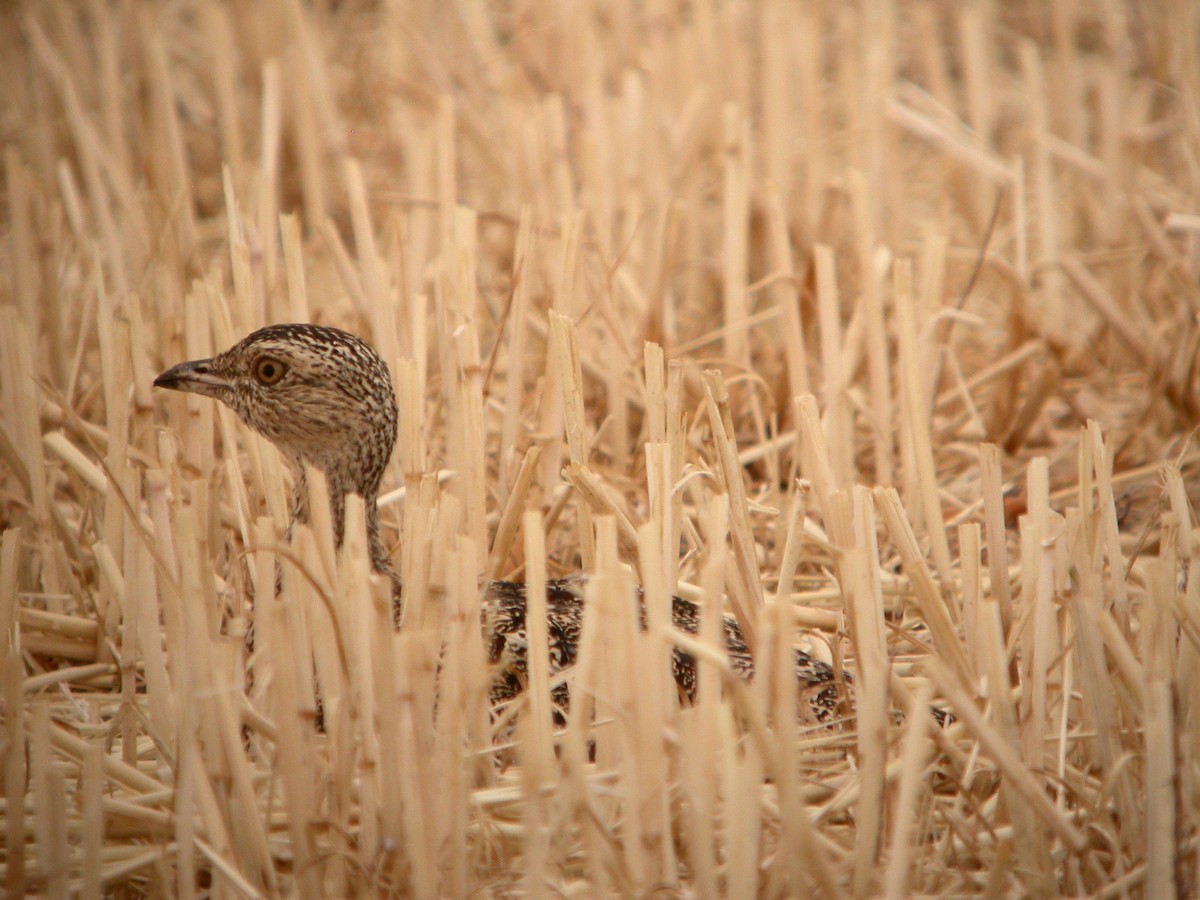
(325, 398)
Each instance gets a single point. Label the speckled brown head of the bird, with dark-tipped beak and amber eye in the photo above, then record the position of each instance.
(321, 395)
